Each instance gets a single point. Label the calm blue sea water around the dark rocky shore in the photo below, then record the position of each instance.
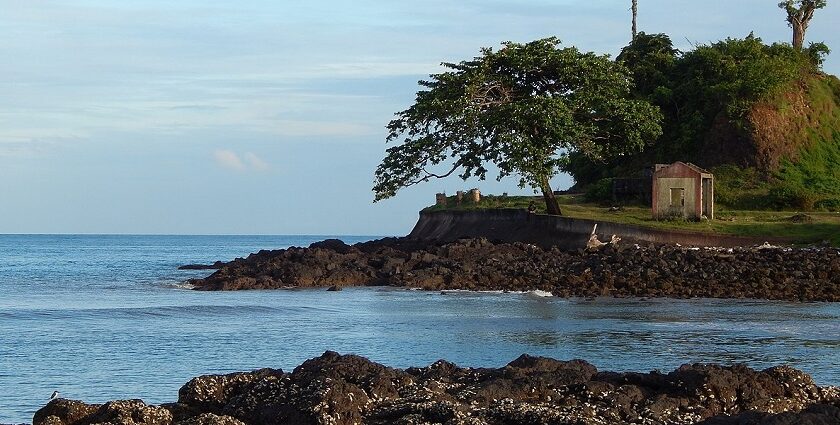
(105, 317)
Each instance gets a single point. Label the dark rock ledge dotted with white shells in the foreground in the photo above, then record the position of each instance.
(336, 389)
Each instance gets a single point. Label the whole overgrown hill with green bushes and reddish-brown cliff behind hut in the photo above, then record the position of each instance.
(764, 118)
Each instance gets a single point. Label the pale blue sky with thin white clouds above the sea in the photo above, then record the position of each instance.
(268, 116)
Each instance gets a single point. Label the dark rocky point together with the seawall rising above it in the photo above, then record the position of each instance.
(535, 253)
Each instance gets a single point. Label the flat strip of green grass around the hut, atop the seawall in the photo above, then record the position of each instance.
(823, 226)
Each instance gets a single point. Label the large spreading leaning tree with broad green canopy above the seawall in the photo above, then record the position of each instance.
(522, 108)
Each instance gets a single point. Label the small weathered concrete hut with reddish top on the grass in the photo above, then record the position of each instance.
(683, 190)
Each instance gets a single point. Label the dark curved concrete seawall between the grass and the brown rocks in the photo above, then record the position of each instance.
(514, 225)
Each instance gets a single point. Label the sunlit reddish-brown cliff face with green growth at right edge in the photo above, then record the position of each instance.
(799, 131)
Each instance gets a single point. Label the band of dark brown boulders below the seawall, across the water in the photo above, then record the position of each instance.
(806, 274)
